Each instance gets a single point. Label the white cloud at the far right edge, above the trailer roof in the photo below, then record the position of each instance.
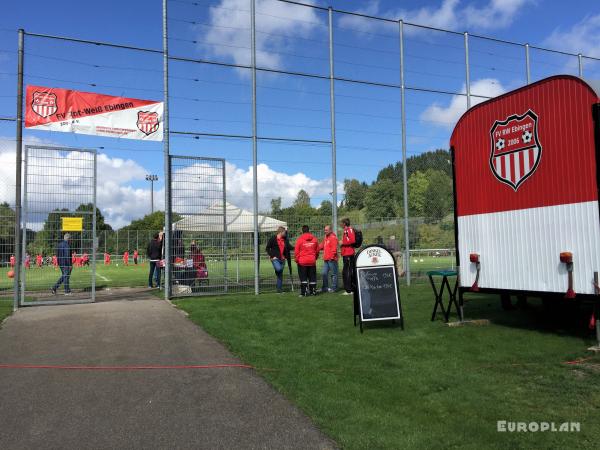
(583, 37)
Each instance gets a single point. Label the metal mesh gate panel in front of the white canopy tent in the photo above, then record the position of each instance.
(199, 239)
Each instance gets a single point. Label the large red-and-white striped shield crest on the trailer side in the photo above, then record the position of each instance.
(515, 149)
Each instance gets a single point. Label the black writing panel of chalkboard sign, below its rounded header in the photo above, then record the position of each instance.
(378, 293)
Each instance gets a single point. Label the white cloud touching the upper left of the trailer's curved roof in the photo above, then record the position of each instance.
(447, 116)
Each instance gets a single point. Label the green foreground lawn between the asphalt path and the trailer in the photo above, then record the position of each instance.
(429, 386)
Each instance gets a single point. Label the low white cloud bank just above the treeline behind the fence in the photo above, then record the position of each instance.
(121, 202)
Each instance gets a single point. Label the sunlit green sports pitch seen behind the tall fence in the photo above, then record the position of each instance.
(41, 279)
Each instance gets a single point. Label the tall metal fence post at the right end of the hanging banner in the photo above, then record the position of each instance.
(167, 165)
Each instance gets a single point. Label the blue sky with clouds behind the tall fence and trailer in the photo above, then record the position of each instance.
(217, 100)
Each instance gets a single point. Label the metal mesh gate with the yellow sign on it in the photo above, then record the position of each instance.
(59, 198)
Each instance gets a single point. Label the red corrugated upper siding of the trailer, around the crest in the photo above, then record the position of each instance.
(567, 168)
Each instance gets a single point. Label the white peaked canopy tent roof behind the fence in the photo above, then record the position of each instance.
(238, 221)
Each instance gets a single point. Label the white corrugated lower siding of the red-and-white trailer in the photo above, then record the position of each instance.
(520, 249)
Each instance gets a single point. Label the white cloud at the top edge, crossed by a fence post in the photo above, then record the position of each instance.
(277, 24)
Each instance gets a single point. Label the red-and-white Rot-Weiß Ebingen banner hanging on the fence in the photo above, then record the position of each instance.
(65, 110)
